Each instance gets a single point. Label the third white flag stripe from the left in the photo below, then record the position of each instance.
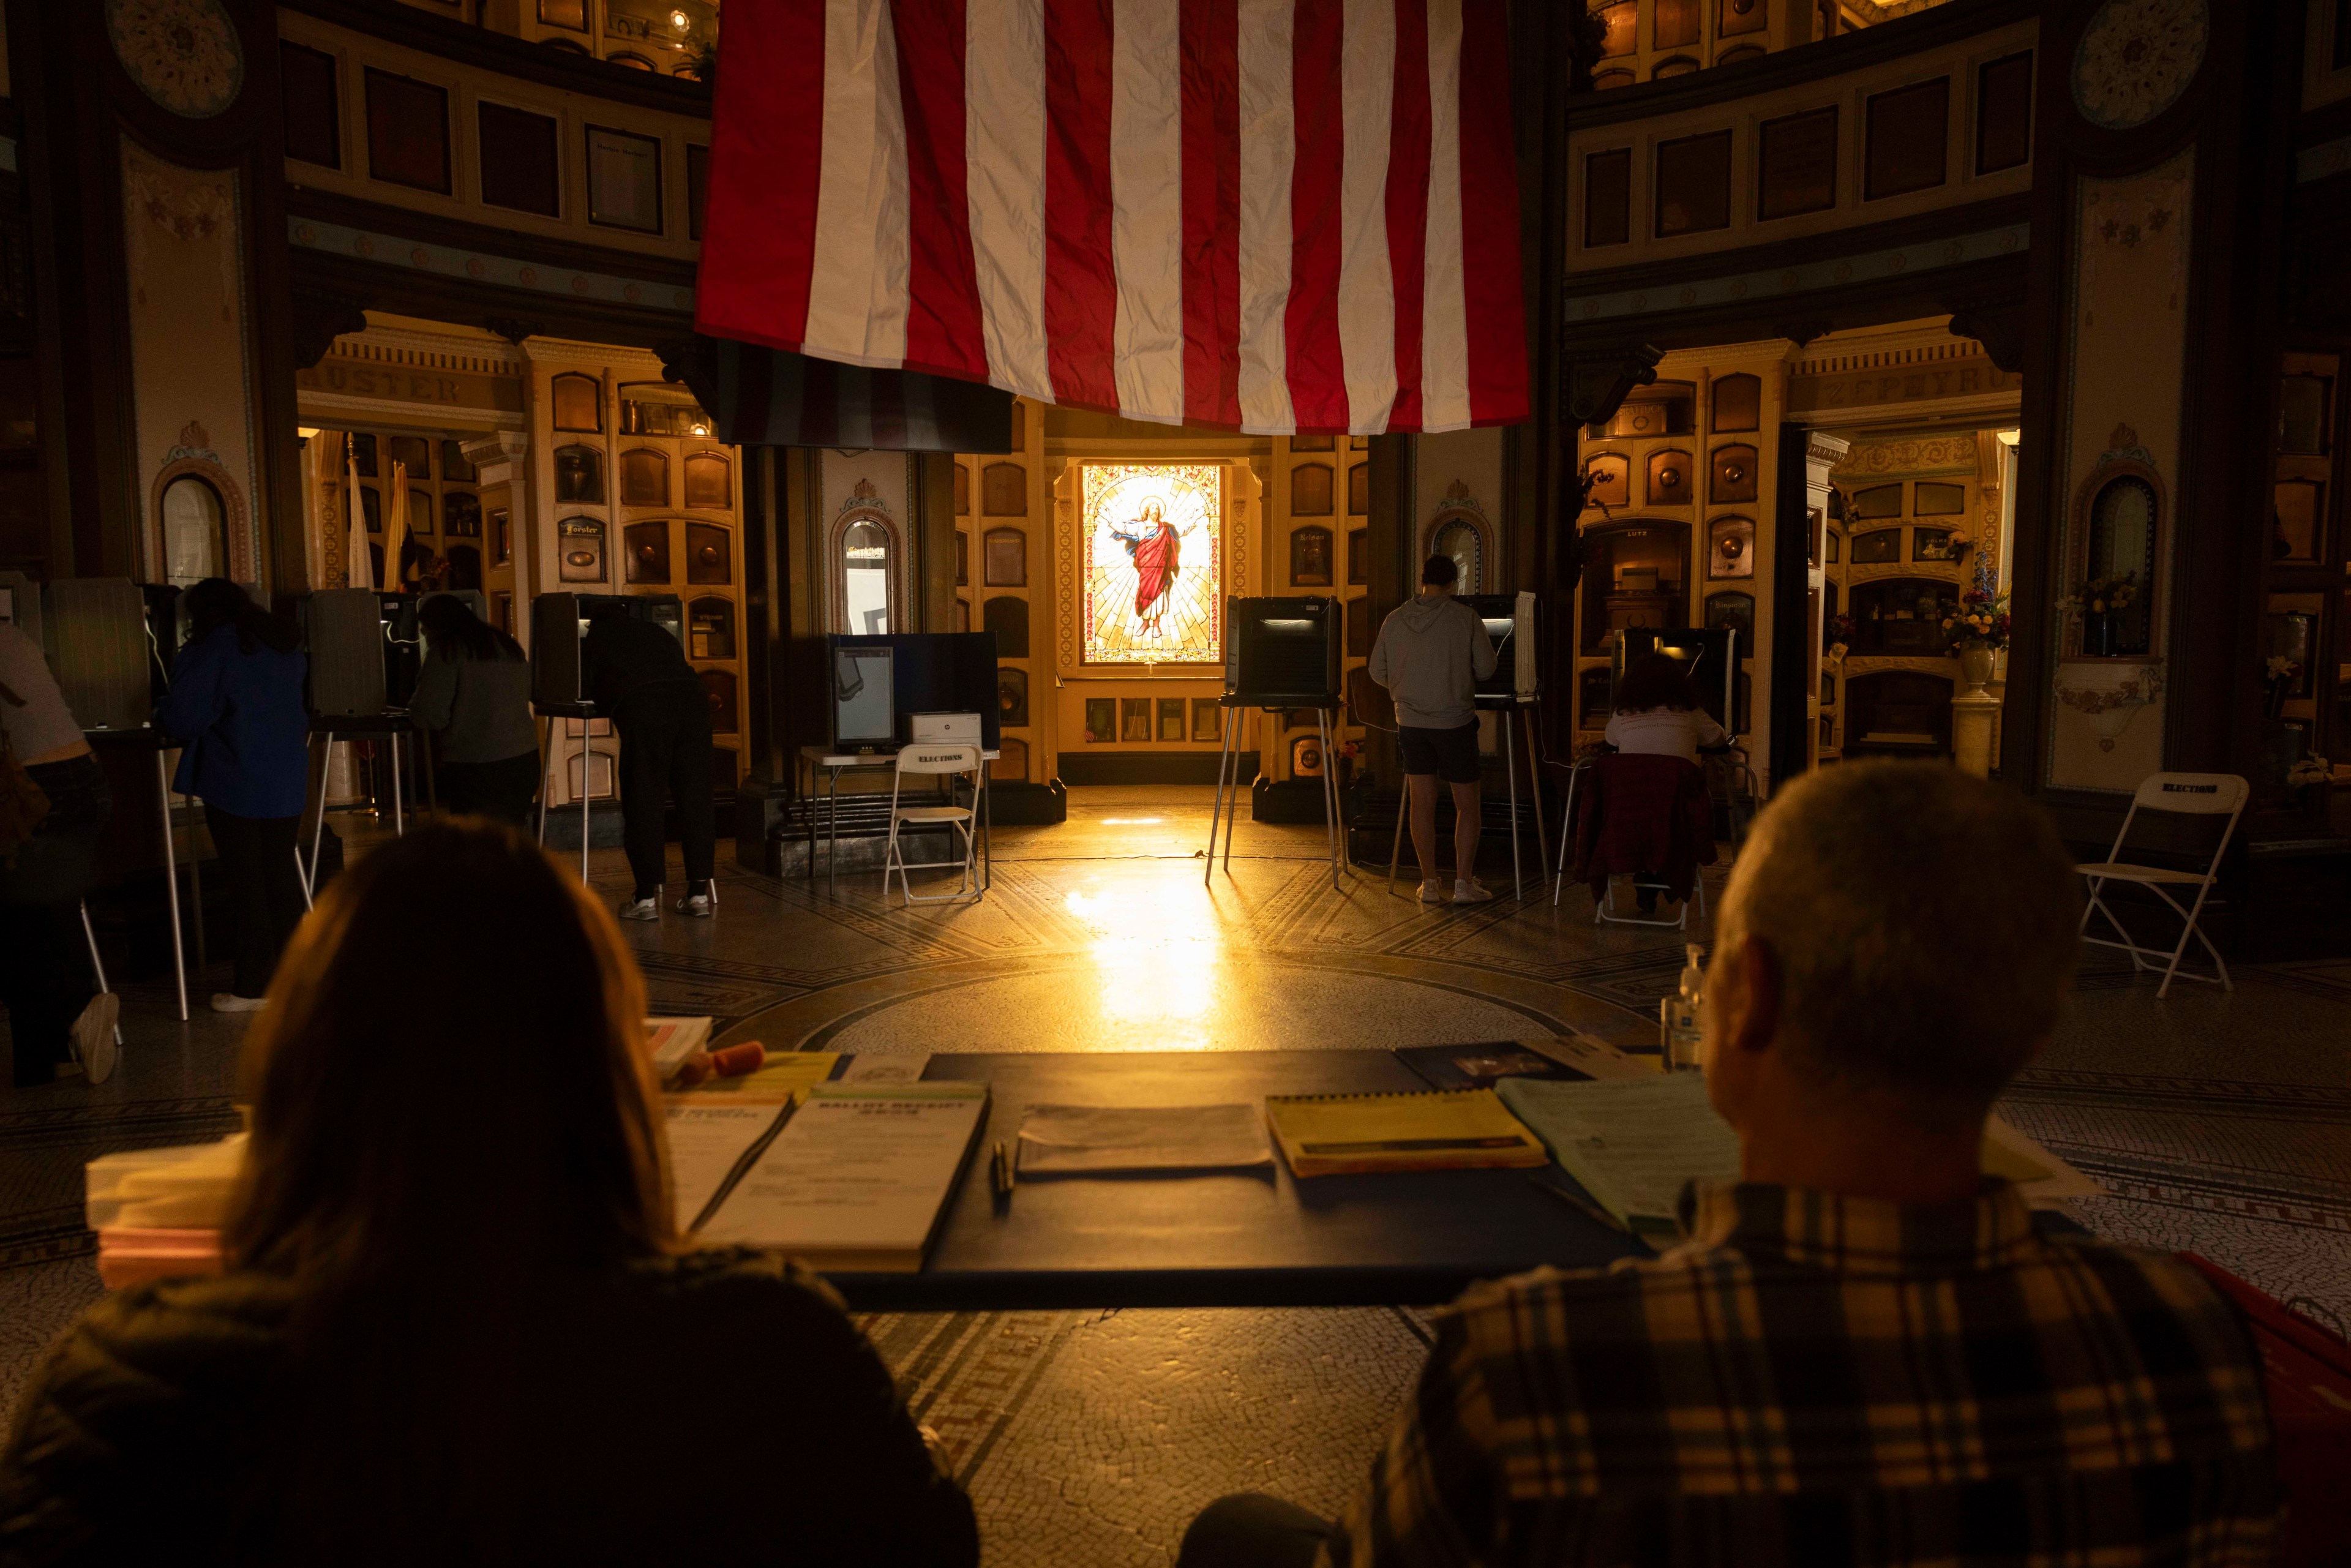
(1146, 208)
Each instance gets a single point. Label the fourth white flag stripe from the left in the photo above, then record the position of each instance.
(1268, 149)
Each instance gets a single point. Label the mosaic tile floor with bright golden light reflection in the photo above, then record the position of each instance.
(2218, 1123)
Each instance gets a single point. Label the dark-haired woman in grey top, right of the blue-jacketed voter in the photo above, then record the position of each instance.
(474, 692)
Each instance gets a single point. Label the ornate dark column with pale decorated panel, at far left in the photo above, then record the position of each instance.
(156, 170)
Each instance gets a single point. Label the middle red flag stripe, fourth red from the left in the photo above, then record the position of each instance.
(1212, 213)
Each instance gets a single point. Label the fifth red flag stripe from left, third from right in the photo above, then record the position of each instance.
(1318, 370)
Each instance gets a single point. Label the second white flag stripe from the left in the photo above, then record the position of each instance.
(1005, 152)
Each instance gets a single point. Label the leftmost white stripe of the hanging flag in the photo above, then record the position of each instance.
(859, 274)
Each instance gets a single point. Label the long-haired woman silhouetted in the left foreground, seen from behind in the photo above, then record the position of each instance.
(457, 1322)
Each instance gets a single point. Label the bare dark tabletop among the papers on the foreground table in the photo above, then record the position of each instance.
(1221, 1240)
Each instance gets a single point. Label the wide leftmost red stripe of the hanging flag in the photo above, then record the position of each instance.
(768, 156)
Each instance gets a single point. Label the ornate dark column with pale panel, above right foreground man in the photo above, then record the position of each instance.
(2159, 177)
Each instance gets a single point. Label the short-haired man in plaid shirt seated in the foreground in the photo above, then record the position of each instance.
(1863, 1353)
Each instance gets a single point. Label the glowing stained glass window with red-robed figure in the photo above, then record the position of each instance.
(1156, 563)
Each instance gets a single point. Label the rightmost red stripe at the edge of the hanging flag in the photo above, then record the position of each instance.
(1492, 288)
